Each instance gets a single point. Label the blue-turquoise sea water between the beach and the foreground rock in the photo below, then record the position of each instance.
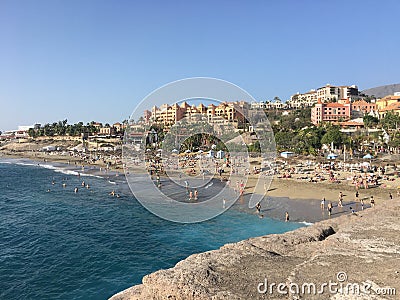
(89, 245)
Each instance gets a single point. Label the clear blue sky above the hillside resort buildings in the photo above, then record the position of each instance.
(85, 60)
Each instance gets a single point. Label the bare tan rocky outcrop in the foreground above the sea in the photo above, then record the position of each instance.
(359, 253)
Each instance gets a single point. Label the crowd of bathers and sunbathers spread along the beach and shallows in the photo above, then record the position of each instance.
(362, 176)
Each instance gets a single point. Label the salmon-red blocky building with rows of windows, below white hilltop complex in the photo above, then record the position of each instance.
(330, 112)
